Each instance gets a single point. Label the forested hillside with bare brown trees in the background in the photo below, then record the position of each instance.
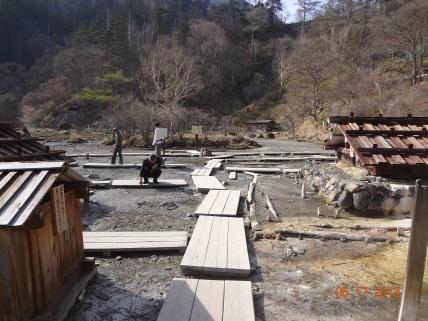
(82, 63)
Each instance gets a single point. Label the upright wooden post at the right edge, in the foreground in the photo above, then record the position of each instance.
(416, 256)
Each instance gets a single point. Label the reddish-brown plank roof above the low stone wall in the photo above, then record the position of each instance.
(395, 147)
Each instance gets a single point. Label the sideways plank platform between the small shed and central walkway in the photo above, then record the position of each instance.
(134, 241)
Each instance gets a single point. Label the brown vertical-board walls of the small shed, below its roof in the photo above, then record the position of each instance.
(35, 264)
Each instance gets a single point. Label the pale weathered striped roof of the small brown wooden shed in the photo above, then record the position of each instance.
(23, 186)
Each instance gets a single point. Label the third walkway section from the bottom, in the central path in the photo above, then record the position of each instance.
(221, 203)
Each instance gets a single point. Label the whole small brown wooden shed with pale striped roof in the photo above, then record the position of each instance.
(41, 240)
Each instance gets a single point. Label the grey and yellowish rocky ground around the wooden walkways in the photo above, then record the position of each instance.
(293, 279)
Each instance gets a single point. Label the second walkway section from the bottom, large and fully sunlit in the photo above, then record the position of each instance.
(218, 247)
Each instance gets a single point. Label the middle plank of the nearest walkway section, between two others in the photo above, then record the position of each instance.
(208, 303)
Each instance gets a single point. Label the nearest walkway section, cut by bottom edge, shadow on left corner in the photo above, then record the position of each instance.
(208, 300)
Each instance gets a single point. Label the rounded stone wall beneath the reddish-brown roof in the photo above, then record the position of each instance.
(368, 195)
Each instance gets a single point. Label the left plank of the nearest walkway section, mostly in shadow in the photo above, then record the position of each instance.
(178, 304)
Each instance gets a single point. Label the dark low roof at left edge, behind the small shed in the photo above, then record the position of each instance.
(17, 146)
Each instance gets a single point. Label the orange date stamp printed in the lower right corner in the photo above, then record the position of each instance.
(362, 293)
